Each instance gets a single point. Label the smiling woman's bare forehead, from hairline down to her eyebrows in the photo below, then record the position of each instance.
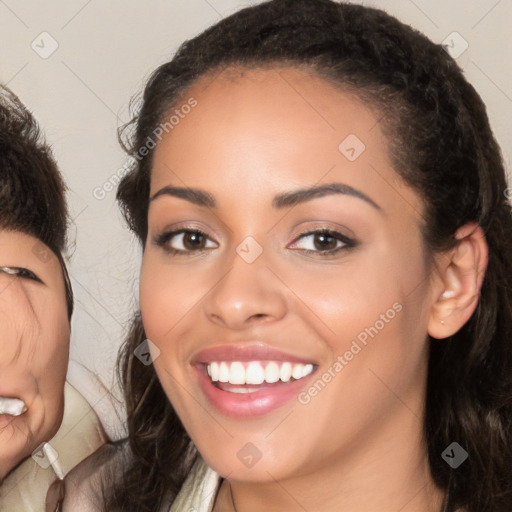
(271, 127)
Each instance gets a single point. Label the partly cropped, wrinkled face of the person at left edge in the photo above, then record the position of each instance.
(34, 346)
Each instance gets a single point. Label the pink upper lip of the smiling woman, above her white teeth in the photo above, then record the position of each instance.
(244, 352)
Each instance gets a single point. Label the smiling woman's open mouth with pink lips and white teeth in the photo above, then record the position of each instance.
(246, 382)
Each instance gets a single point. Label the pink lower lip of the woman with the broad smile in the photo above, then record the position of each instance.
(250, 405)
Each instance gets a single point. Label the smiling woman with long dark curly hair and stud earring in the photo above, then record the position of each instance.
(329, 221)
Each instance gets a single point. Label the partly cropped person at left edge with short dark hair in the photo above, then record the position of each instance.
(46, 426)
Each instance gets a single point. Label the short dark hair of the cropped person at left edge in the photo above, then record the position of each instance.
(32, 191)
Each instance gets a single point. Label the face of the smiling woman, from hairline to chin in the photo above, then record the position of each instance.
(283, 246)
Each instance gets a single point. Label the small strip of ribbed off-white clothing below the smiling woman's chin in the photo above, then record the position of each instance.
(198, 491)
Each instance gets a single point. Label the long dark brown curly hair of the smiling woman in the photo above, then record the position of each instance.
(441, 144)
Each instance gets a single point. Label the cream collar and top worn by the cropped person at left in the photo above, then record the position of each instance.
(80, 434)
